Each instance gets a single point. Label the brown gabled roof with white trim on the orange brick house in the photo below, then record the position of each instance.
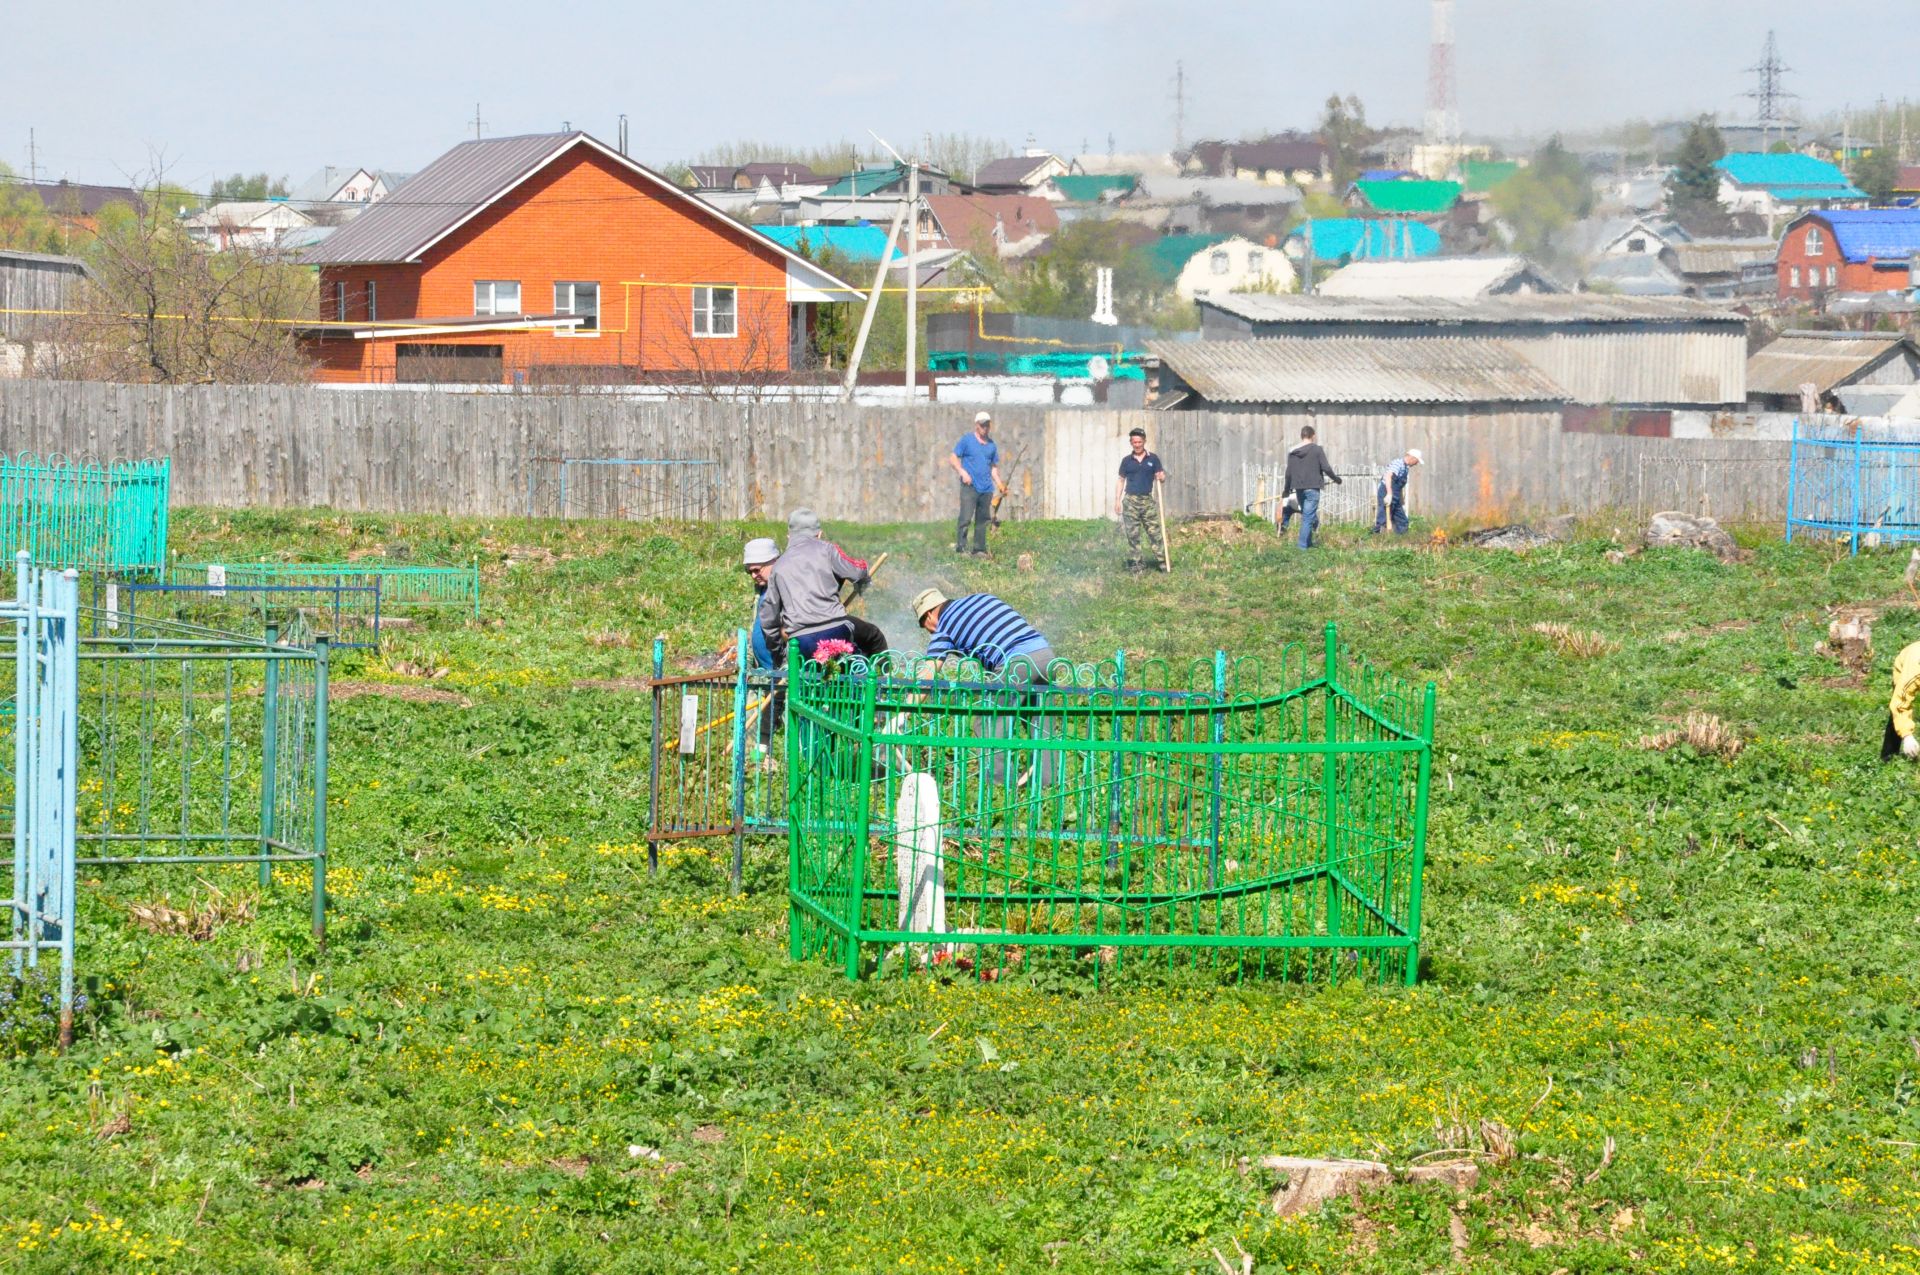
(462, 183)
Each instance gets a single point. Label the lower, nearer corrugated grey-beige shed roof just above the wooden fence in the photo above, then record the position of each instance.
(1358, 370)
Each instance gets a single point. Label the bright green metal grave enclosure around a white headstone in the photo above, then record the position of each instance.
(1247, 817)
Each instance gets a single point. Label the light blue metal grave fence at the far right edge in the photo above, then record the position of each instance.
(1854, 479)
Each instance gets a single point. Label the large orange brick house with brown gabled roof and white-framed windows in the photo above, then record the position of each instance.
(554, 260)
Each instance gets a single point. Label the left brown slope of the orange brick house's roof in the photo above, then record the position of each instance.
(439, 199)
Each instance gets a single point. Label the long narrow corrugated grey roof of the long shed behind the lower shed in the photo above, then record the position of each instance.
(1570, 308)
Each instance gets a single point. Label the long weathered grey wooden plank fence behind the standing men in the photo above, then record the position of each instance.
(481, 454)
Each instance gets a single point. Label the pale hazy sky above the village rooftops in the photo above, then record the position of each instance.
(222, 85)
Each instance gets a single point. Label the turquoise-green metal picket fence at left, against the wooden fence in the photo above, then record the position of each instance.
(85, 516)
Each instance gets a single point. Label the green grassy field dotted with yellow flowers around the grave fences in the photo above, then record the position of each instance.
(521, 1053)
